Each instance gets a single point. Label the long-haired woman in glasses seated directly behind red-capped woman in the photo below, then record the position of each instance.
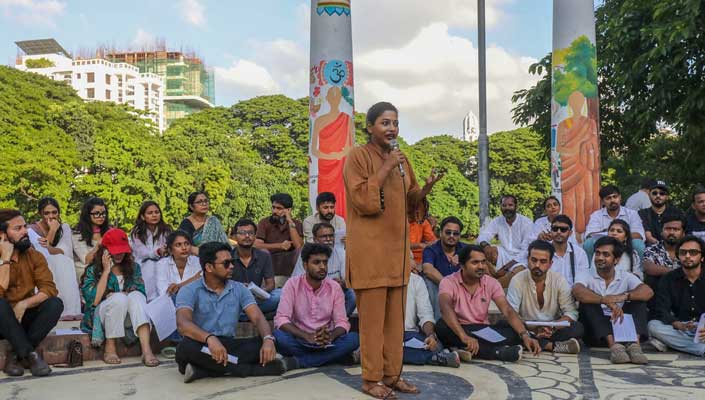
(92, 225)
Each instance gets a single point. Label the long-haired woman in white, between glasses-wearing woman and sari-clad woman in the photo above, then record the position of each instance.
(148, 242)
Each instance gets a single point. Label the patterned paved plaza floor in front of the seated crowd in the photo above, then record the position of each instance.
(588, 375)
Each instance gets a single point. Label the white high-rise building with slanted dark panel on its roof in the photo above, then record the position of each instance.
(96, 79)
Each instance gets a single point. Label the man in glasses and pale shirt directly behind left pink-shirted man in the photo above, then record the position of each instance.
(324, 233)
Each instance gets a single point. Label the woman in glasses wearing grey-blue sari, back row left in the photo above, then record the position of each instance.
(202, 227)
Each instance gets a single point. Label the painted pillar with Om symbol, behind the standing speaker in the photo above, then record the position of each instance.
(331, 112)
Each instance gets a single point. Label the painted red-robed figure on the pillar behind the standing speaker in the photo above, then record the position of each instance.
(332, 141)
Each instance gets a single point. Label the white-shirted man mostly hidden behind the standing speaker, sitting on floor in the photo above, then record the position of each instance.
(419, 314)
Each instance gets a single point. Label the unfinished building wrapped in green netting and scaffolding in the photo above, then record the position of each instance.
(190, 86)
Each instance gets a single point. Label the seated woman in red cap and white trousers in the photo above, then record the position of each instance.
(113, 289)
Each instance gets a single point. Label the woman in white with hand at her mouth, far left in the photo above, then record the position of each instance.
(52, 238)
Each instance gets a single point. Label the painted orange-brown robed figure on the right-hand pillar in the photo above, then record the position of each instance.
(579, 149)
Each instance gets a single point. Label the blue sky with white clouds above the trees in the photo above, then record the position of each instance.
(421, 55)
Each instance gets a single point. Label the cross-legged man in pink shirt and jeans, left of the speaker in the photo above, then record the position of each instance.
(311, 323)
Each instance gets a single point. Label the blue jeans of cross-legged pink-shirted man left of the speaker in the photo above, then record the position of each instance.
(290, 345)
